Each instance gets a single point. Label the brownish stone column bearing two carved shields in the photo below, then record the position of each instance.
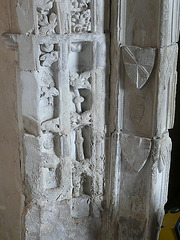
(143, 88)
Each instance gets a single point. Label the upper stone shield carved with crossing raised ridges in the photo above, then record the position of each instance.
(139, 63)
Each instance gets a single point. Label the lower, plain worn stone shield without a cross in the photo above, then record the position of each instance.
(135, 151)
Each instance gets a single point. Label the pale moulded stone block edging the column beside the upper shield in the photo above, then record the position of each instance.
(167, 80)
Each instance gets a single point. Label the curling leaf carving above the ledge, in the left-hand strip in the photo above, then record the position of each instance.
(47, 20)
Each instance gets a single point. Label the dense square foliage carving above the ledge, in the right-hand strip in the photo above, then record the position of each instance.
(80, 16)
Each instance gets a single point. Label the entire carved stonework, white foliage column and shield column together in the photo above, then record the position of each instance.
(97, 99)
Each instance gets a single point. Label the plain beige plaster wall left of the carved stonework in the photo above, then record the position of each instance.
(10, 183)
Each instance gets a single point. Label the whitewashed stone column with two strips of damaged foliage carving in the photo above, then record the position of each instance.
(62, 72)
